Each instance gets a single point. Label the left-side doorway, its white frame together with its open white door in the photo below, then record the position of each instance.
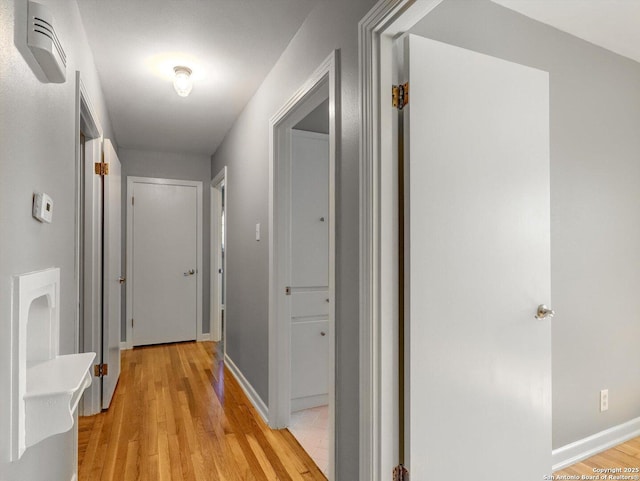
(98, 266)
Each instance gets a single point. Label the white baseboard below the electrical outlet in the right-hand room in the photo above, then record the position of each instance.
(589, 446)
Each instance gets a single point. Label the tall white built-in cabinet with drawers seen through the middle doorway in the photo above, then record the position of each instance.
(309, 270)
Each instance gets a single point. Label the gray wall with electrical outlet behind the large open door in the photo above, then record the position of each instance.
(595, 201)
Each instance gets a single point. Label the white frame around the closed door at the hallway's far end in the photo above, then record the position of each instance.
(129, 252)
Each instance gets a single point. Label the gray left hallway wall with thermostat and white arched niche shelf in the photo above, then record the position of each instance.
(37, 153)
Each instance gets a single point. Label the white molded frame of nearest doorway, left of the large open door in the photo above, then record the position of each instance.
(379, 429)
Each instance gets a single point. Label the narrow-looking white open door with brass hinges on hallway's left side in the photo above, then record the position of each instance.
(112, 274)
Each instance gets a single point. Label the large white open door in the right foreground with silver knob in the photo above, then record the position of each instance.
(478, 265)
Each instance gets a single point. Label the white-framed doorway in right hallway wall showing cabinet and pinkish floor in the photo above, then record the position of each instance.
(302, 324)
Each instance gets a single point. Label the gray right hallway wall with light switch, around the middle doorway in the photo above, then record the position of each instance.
(332, 25)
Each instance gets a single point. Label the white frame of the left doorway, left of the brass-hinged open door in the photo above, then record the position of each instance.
(90, 319)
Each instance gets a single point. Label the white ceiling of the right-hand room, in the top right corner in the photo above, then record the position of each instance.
(612, 24)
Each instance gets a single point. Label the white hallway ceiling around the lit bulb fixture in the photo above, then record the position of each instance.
(229, 44)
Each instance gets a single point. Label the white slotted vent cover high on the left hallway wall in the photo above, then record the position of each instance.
(44, 43)
